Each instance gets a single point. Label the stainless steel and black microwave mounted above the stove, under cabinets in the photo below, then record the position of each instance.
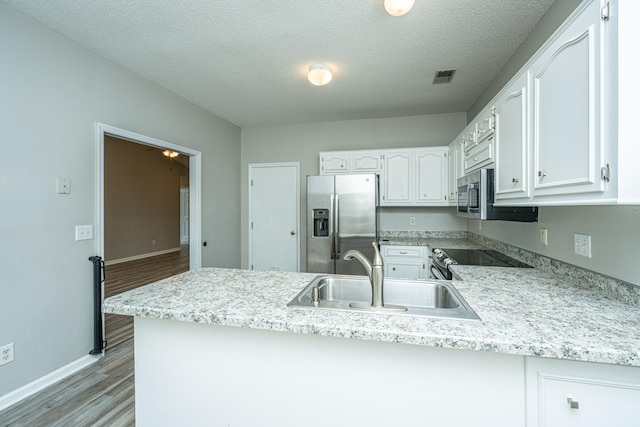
(476, 194)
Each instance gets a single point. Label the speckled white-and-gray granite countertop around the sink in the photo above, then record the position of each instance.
(524, 311)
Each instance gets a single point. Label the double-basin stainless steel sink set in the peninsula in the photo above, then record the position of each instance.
(432, 298)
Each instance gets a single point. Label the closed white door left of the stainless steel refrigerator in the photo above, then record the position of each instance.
(274, 216)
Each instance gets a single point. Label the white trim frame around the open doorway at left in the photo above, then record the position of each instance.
(195, 185)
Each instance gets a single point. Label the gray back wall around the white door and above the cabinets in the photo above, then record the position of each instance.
(301, 143)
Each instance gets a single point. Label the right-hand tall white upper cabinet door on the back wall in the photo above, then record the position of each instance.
(431, 177)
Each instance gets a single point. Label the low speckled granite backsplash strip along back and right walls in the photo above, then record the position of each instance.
(607, 286)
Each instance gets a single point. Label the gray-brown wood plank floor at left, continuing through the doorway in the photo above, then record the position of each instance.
(103, 393)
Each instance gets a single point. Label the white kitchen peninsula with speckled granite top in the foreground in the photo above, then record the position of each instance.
(221, 347)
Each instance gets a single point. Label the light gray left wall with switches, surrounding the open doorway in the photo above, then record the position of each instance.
(53, 93)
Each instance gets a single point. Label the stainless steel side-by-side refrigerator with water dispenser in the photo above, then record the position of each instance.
(341, 215)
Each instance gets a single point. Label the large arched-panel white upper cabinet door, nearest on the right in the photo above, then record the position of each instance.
(567, 109)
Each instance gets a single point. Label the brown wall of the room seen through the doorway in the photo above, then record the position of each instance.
(141, 200)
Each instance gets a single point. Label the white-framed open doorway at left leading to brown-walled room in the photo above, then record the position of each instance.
(148, 244)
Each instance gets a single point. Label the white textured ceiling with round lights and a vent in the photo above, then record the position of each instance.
(246, 60)
